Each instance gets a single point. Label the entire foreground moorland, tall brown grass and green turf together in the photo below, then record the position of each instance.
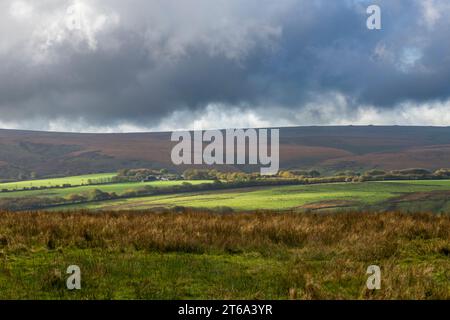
(195, 255)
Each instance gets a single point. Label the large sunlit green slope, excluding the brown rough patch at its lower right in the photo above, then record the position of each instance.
(284, 197)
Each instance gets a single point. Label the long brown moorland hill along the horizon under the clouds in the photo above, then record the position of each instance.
(328, 148)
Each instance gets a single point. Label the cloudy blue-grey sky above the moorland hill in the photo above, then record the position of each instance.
(146, 65)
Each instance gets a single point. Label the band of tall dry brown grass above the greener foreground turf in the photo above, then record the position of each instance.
(371, 234)
